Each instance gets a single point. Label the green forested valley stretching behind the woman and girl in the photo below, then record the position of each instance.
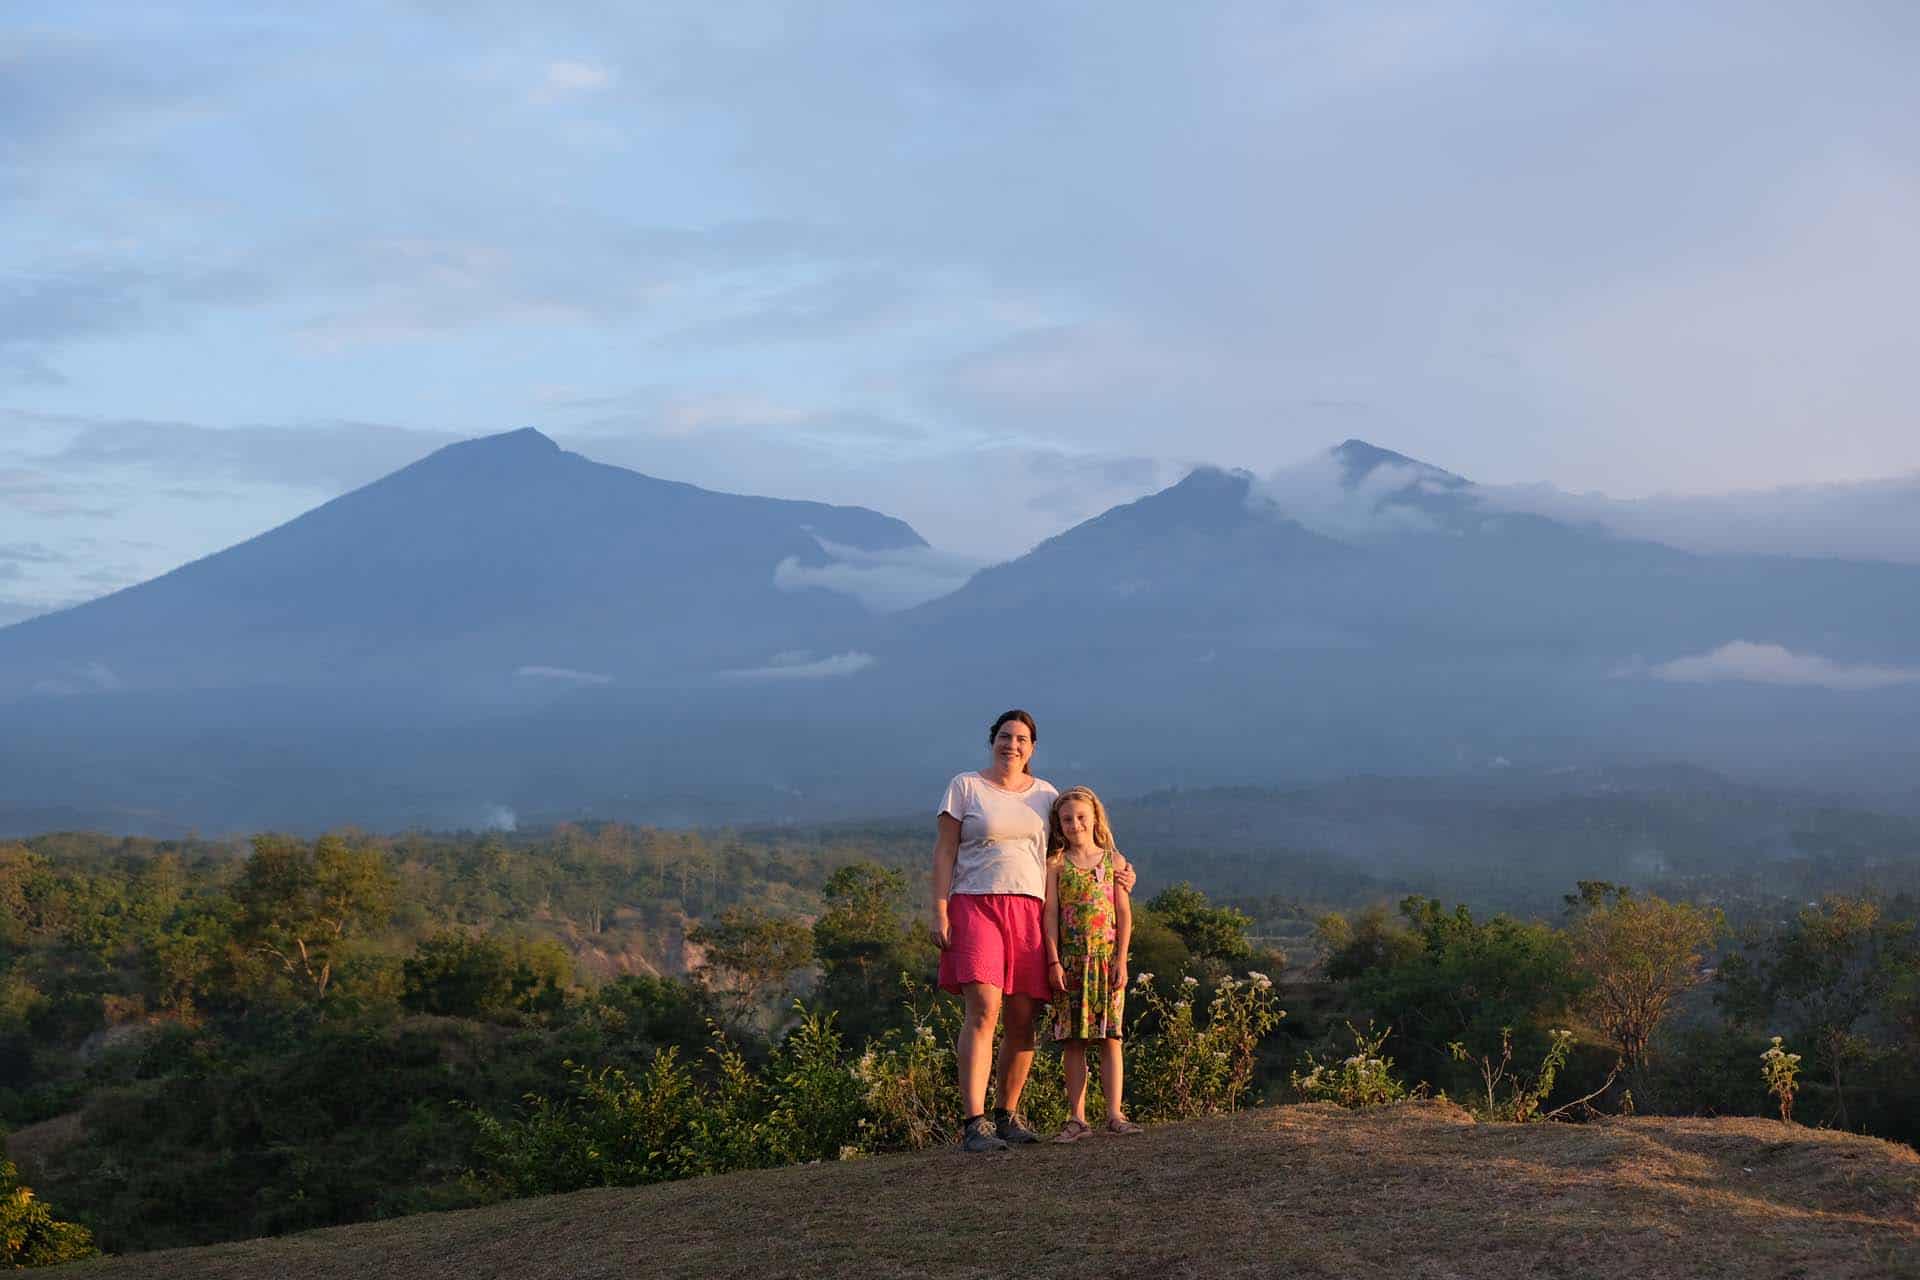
(212, 1039)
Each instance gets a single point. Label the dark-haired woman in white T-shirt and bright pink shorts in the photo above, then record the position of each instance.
(990, 886)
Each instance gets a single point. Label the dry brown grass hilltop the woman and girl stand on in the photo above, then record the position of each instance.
(1412, 1191)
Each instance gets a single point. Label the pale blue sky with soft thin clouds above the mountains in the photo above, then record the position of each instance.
(984, 268)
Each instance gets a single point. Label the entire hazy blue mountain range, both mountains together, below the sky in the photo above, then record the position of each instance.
(512, 630)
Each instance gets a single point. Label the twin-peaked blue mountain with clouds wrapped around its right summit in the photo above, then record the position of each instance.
(1374, 613)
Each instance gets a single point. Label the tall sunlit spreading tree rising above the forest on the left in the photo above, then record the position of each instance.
(299, 905)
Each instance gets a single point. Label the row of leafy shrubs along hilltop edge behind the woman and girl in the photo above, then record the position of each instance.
(811, 1101)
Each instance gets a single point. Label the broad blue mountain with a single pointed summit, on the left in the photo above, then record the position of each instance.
(491, 563)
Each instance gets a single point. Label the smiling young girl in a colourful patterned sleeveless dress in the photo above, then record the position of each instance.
(1090, 924)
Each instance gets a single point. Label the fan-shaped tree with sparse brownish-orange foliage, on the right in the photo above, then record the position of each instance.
(1639, 957)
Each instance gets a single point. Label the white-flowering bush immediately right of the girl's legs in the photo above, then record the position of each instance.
(1188, 1068)
